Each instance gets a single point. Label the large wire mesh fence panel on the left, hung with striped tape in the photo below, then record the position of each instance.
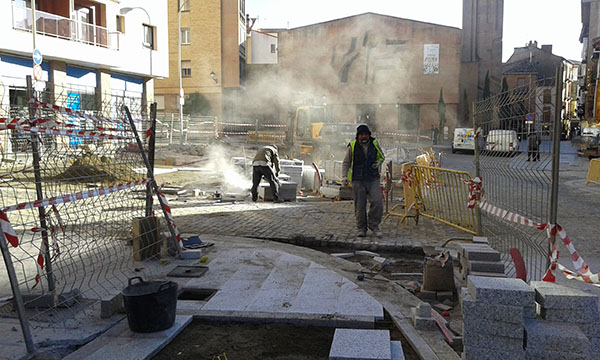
(74, 208)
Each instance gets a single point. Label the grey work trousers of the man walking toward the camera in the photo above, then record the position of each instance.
(367, 190)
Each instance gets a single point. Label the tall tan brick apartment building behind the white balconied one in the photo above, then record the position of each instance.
(213, 53)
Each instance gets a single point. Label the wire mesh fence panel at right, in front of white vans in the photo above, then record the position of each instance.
(514, 157)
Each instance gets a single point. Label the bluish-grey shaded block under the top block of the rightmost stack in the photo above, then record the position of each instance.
(558, 337)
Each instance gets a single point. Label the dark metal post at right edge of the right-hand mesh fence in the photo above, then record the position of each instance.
(555, 155)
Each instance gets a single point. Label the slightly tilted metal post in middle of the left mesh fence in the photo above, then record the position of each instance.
(38, 188)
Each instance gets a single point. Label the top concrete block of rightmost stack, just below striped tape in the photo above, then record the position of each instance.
(554, 296)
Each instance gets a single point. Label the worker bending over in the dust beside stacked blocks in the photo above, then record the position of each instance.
(266, 163)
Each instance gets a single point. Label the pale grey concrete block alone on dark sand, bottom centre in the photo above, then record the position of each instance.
(360, 344)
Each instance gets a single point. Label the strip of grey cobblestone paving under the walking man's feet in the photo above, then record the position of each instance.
(321, 223)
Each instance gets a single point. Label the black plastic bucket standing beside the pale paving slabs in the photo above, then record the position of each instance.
(150, 305)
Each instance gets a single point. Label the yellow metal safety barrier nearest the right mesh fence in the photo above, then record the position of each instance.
(443, 196)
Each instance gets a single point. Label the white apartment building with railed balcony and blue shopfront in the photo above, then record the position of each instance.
(92, 48)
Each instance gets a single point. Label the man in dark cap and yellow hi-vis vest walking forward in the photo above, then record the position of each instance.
(363, 160)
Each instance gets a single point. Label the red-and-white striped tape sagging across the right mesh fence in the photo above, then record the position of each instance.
(583, 272)
